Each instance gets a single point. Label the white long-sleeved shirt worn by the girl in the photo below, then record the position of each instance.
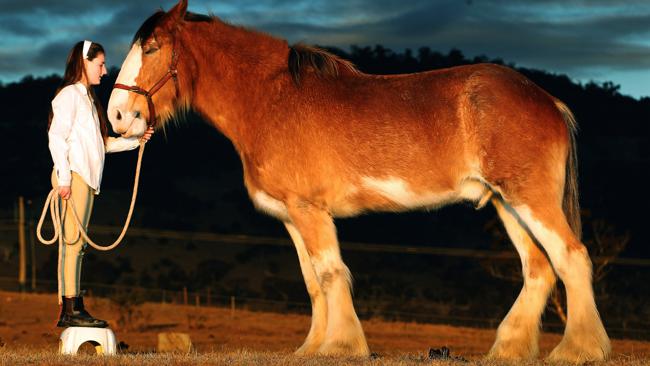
(76, 142)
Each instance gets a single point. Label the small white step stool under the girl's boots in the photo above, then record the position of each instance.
(73, 337)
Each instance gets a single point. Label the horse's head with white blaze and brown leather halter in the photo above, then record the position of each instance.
(146, 90)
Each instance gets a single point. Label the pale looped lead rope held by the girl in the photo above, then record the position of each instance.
(52, 202)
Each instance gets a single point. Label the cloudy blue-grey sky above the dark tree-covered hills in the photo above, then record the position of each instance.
(588, 40)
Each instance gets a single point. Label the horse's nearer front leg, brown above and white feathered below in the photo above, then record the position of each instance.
(343, 334)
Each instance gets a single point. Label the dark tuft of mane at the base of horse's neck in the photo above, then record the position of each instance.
(323, 63)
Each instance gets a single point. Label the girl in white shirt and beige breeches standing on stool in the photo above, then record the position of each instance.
(78, 140)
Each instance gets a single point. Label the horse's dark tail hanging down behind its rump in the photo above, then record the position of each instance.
(570, 204)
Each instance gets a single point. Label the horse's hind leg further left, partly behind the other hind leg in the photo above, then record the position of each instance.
(517, 336)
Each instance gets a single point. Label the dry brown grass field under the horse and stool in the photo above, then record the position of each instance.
(28, 336)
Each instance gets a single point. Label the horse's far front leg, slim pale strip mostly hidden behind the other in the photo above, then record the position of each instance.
(318, 304)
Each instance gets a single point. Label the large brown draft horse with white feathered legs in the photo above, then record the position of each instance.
(319, 139)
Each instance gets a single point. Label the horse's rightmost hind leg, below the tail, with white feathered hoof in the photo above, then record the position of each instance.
(584, 338)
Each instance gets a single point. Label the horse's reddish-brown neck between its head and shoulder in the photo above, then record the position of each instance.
(236, 71)
